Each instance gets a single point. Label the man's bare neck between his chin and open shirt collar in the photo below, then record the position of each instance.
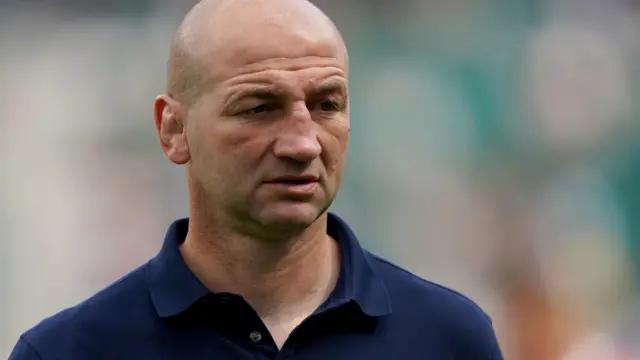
(263, 272)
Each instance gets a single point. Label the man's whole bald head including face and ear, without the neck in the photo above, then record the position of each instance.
(257, 110)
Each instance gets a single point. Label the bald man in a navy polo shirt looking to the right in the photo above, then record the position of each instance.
(257, 112)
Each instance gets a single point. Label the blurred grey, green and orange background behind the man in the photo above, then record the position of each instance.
(495, 150)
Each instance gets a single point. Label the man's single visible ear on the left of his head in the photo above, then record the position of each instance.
(171, 129)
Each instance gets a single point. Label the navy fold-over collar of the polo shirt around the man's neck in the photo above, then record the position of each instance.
(174, 288)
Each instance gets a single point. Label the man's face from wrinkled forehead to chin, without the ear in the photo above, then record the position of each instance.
(268, 138)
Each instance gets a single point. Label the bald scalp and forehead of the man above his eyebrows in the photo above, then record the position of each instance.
(217, 37)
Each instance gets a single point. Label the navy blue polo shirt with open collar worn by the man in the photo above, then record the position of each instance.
(161, 311)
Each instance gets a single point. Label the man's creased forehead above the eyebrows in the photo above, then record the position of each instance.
(285, 41)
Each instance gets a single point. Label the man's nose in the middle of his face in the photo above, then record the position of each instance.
(298, 138)
